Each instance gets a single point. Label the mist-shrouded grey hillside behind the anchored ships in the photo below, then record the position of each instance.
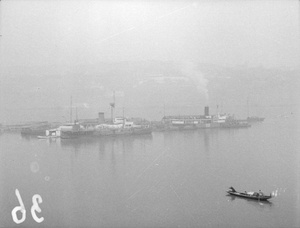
(145, 89)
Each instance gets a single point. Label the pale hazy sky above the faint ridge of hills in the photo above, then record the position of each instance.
(43, 32)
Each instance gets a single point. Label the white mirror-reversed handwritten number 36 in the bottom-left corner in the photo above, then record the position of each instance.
(36, 199)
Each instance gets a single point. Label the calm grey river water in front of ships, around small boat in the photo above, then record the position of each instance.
(169, 179)
